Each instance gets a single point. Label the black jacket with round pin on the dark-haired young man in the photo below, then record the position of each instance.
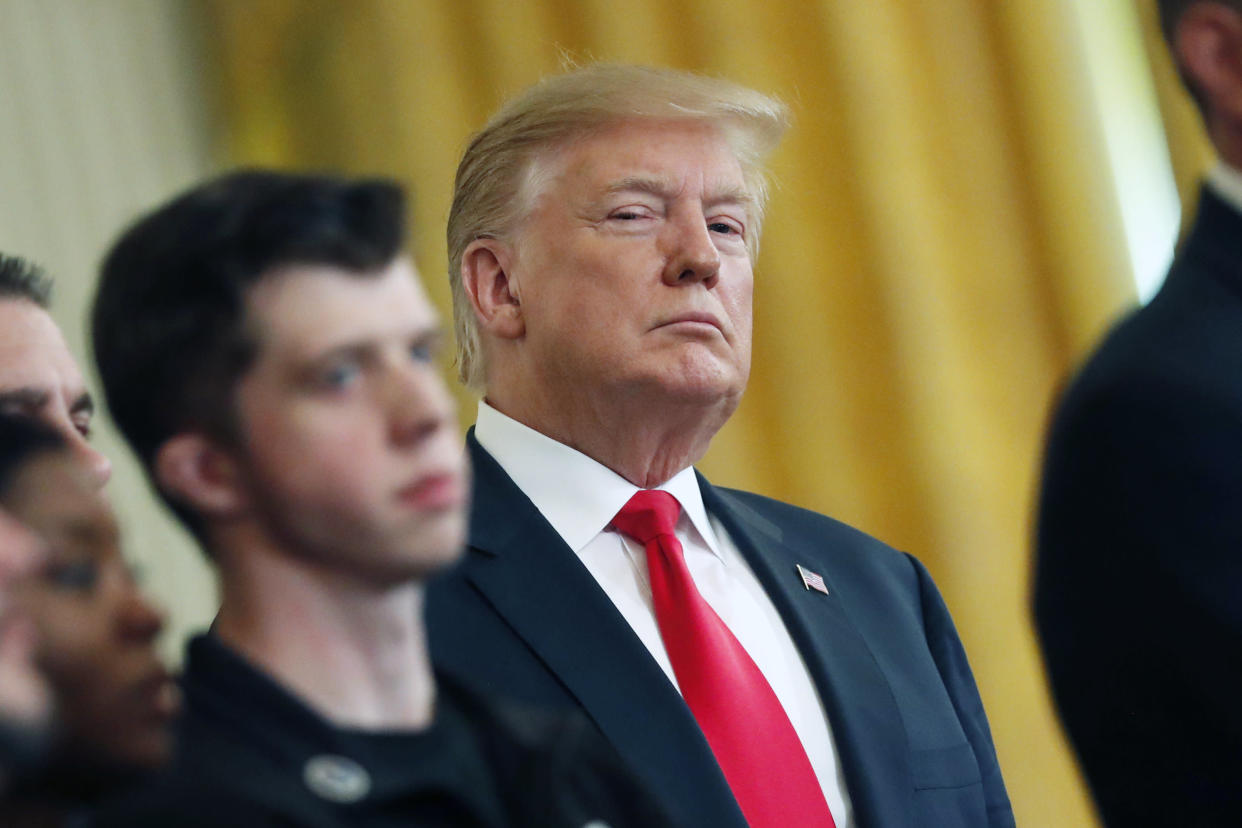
(250, 754)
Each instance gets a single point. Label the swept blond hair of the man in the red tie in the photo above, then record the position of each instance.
(500, 178)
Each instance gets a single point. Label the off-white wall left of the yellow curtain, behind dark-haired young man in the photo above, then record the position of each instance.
(102, 115)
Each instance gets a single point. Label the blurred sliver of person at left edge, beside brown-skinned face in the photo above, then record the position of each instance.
(25, 696)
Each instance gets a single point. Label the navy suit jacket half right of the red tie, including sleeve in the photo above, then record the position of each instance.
(889, 601)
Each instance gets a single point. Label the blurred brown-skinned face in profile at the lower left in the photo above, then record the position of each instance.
(115, 700)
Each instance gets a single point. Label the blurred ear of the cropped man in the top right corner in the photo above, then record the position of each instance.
(1208, 45)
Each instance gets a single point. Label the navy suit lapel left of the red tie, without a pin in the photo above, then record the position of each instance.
(538, 585)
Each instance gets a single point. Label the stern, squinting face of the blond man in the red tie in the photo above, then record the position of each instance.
(633, 269)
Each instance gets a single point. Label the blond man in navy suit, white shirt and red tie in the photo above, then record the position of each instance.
(752, 661)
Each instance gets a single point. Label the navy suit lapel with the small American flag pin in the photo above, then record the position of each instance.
(863, 711)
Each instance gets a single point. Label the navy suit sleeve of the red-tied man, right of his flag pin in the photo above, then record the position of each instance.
(951, 661)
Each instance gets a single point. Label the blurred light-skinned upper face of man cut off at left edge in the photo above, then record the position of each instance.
(40, 379)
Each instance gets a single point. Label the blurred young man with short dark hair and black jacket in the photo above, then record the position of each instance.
(269, 352)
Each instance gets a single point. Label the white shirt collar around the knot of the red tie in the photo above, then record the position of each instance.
(578, 496)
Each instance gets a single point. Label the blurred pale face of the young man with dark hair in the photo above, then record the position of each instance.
(351, 455)
